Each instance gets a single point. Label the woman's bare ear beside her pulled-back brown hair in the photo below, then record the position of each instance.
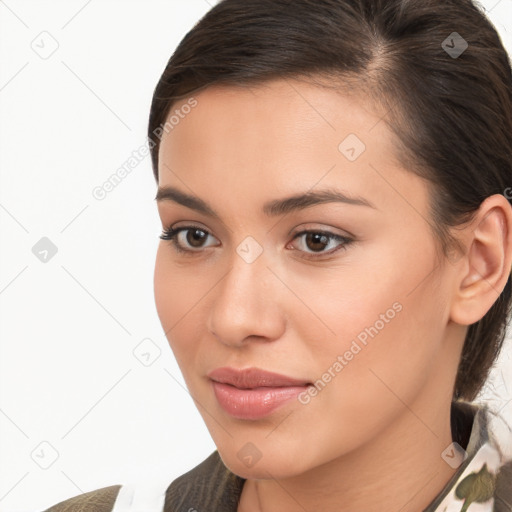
(486, 266)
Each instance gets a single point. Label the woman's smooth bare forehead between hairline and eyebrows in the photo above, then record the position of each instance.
(282, 135)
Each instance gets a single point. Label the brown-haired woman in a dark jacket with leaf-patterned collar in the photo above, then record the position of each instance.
(334, 183)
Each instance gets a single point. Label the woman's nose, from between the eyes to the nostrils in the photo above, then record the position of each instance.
(247, 304)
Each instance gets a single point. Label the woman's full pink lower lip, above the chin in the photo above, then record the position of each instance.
(252, 404)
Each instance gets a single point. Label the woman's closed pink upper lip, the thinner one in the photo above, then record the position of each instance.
(253, 378)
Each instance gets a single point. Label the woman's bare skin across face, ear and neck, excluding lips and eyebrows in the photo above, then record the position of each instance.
(372, 438)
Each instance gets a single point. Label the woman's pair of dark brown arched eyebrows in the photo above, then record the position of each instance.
(271, 208)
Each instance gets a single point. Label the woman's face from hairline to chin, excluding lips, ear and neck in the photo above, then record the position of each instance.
(368, 317)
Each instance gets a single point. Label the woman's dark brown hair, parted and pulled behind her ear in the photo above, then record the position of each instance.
(449, 105)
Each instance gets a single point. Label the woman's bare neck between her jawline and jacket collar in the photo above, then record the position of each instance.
(401, 470)
